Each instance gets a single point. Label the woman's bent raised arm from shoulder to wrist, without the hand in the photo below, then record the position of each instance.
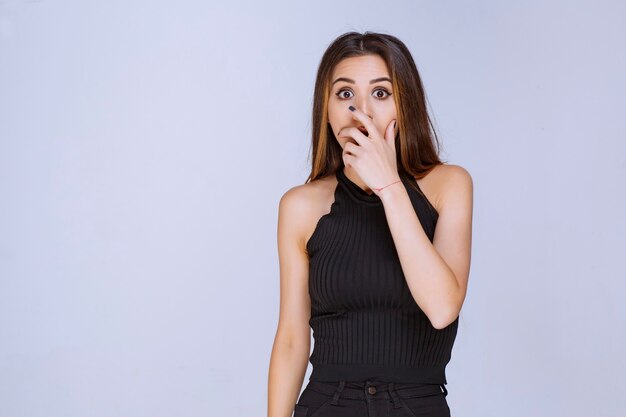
(436, 273)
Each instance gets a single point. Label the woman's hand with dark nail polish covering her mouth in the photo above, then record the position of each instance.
(374, 158)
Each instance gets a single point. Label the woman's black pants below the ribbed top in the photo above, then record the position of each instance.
(372, 399)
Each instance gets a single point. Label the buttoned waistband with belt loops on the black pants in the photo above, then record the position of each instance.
(367, 390)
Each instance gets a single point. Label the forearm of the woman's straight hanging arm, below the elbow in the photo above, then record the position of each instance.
(288, 365)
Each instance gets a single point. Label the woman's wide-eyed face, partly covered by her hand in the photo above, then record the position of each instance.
(364, 83)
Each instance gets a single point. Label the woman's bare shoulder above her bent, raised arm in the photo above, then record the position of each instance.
(444, 182)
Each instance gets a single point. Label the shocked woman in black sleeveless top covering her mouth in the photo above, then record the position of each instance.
(374, 248)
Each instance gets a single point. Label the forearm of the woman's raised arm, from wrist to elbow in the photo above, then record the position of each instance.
(431, 281)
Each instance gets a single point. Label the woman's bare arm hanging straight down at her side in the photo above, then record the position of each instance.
(292, 343)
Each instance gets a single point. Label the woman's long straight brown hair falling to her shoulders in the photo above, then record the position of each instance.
(416, 138)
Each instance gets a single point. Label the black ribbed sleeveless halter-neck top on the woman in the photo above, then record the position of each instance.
(366, 324)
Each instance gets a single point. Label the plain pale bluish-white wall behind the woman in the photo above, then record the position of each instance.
(144, 147)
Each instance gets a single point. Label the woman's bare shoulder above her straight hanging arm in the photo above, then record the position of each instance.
(302, 205)
